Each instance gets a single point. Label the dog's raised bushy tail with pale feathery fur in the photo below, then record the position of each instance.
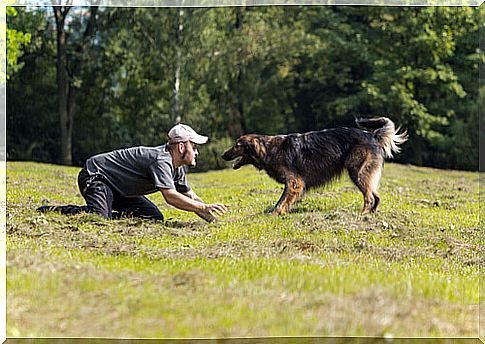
(385, 132)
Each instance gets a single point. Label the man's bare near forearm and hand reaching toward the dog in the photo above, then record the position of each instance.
(191, 202)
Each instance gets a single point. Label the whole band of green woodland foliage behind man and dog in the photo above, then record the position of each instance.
(271, 69)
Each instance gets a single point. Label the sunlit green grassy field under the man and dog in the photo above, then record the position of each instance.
(410, 270)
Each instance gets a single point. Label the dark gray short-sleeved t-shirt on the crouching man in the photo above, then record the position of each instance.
(139, 171)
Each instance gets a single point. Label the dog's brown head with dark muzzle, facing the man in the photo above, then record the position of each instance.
(250, 149)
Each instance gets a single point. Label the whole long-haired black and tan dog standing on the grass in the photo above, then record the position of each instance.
(308, 160)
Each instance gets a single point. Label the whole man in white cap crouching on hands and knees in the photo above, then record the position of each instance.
(119, 180)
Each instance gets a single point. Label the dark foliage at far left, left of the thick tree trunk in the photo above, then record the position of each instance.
(32, 130)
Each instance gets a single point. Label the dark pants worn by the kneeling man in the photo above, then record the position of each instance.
(104, 200)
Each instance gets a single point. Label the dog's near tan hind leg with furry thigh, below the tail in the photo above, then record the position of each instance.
(366, 175)
